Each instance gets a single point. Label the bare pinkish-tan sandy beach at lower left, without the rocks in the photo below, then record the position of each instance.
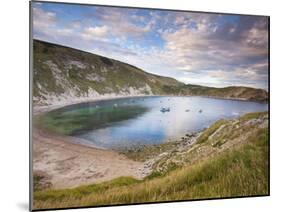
(68, 164)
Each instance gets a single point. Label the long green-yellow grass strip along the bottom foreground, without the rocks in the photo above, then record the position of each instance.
(241, 171)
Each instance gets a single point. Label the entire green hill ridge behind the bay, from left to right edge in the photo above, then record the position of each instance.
(63, 74)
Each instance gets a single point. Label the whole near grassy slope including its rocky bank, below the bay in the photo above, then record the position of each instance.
(223, 162)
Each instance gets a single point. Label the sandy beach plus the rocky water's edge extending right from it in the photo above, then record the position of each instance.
(67, 162)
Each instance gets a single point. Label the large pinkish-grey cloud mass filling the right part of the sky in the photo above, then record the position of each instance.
(219, 49)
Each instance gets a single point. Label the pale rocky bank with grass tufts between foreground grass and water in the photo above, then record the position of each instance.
(219, 137)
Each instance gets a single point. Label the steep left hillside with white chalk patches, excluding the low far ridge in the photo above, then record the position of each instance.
(59, 69)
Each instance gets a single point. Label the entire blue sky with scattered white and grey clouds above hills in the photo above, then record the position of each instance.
(195, 48)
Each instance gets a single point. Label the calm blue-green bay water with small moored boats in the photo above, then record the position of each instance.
(127, 122)
